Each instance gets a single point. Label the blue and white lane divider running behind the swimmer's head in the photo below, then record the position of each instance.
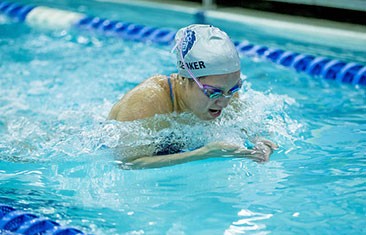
(45, 17)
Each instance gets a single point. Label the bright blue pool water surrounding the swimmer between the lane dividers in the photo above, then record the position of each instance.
(57, 158)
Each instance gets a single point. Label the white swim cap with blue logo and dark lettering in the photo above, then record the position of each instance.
(205, 50)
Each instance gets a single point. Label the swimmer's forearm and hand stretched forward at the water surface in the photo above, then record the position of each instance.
(260, 153)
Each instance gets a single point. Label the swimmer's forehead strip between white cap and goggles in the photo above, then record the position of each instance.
(222, 81)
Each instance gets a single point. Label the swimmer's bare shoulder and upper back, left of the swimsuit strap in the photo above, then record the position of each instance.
(147, 99)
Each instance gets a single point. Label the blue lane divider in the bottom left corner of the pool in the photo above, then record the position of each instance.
(16, 222)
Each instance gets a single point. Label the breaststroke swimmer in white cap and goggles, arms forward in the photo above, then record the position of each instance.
(207, 81)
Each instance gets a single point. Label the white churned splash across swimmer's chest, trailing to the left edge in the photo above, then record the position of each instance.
(84, 131)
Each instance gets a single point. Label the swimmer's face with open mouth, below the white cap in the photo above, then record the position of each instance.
(204, 107)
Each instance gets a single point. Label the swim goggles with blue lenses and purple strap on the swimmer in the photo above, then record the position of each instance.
(210, 91)
